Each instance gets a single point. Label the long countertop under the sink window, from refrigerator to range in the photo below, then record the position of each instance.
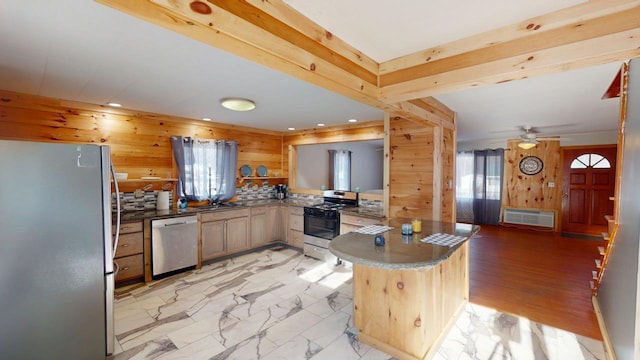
(148, 214)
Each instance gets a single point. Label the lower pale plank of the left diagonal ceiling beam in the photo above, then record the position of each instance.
(229, 33)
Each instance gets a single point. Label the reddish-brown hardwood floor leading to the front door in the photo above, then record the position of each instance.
(541, 276)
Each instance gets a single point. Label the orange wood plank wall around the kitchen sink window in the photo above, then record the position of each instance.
(140, 142)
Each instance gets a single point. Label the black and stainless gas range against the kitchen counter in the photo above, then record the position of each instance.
(322, 223)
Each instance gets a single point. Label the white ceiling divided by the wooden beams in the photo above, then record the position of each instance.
(81, 50)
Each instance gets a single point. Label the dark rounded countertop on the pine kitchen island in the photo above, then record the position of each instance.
(400, 251)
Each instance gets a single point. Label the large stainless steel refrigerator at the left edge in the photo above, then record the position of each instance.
(56, 263)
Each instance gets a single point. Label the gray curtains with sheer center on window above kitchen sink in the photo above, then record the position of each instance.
(206, 168)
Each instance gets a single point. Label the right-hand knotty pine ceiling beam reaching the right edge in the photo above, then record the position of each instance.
(516, 51)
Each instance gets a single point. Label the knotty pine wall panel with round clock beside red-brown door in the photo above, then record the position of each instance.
(532, 191)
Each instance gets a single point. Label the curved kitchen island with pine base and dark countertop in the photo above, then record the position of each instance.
(407, 293)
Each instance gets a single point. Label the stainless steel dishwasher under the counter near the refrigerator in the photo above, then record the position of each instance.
(174, 244)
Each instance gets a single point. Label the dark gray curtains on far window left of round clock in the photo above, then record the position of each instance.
(479, 190)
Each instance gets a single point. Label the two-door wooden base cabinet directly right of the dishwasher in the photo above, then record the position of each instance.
(224, 232)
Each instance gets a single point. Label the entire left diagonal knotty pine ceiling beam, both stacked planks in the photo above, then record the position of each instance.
(272, 34)
